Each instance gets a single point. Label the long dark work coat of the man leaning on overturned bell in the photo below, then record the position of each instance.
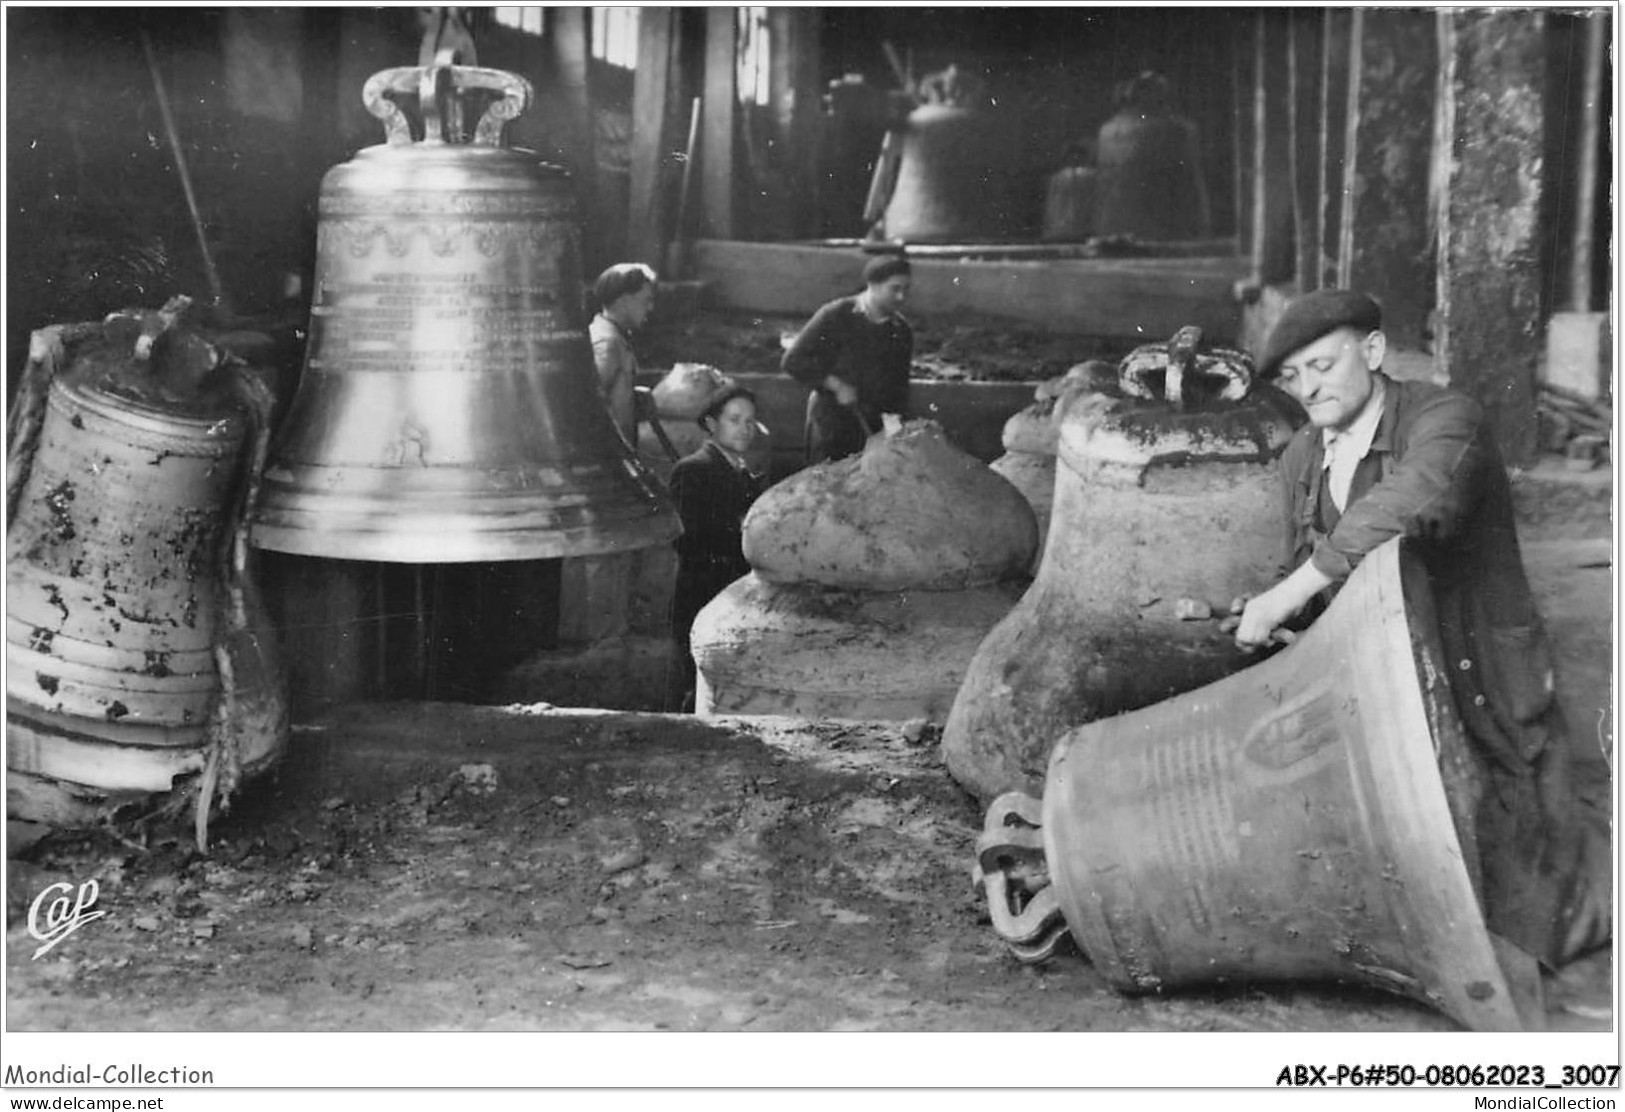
(1436, 477)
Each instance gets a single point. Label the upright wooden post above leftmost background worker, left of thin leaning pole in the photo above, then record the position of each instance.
(648, 212)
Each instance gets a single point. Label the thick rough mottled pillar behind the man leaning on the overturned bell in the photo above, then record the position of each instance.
(1493, 119)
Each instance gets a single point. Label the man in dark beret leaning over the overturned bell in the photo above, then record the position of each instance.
(1382, 459)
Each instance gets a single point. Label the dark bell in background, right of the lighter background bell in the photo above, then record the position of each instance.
(1150, 168)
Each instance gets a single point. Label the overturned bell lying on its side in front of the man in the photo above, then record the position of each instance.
(1309, 819)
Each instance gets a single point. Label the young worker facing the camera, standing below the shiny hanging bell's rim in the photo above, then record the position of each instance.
(714, 487)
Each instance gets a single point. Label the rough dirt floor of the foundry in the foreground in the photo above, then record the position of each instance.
(453, 869)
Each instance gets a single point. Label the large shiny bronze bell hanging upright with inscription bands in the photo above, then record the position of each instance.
(449, 409)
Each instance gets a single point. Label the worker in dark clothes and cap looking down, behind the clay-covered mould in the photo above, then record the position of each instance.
(856, 355)
